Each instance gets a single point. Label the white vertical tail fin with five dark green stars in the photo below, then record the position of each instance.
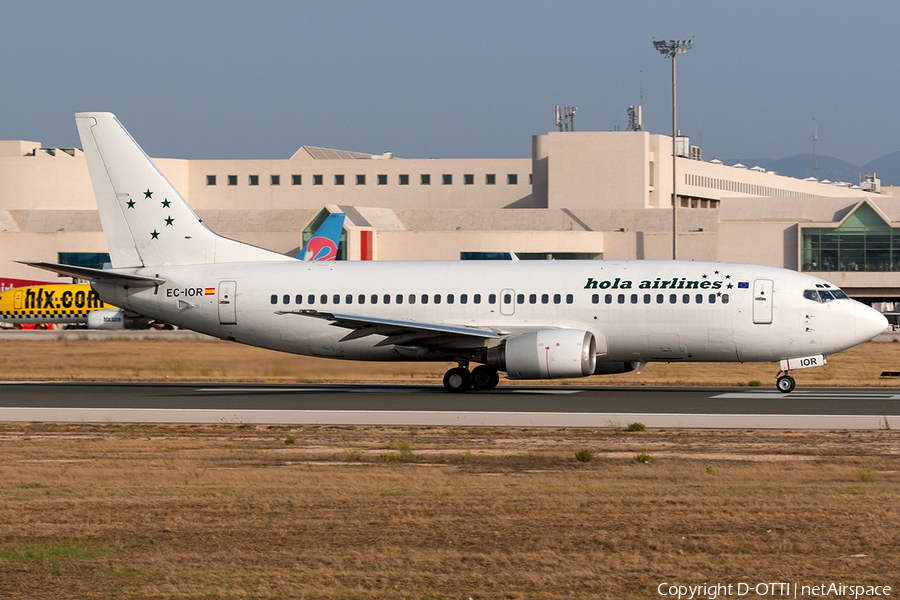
(145, 220)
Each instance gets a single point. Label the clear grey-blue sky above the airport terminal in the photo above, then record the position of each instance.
(204, 79)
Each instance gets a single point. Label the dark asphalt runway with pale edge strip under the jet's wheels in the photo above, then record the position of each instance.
(513, 406)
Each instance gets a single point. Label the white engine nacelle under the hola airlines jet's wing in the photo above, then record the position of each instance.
(547, 354)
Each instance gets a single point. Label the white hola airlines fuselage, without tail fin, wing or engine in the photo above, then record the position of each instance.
(636, 310)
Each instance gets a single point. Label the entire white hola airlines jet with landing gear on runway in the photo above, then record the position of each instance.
(530, 319)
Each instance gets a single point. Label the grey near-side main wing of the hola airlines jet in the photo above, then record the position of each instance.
(401, 332)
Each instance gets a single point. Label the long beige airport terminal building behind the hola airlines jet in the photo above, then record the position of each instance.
(582, 195)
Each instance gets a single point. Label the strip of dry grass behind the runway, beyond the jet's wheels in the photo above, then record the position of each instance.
(196, 360)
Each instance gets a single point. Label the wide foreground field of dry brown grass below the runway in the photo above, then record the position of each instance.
(233, 511)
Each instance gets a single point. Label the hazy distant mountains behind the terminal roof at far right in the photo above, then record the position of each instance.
(800, 166)
